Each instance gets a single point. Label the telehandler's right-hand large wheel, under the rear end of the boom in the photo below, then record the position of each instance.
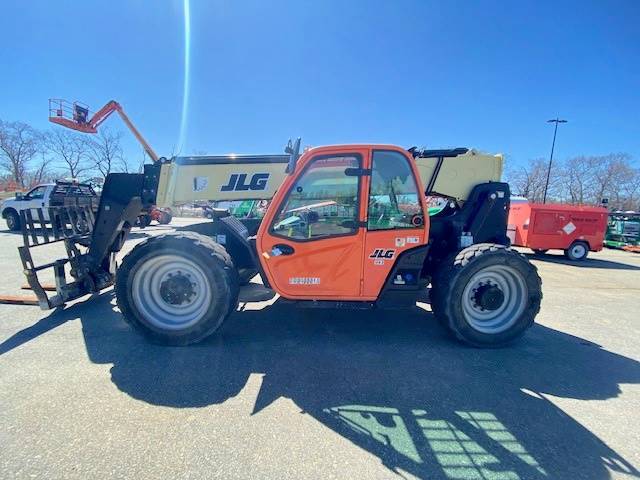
(487, 295)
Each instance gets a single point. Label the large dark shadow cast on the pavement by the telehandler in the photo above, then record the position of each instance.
(395, 385)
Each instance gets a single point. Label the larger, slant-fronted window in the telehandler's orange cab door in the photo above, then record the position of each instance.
(323, 202)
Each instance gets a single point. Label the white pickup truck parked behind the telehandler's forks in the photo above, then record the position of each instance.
(46, 195)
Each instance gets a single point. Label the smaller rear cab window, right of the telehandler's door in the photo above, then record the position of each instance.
(393, 194)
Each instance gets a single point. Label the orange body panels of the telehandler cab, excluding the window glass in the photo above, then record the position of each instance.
(338, 268)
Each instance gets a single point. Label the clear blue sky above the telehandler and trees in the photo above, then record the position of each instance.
(486, 74)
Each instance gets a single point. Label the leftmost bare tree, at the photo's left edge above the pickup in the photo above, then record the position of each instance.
(19, 143)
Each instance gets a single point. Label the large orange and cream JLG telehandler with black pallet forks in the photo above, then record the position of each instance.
(347, 226)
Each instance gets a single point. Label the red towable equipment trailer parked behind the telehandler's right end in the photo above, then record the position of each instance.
(541, 227)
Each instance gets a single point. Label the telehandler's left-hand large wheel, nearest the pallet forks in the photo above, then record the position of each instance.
(177, 288)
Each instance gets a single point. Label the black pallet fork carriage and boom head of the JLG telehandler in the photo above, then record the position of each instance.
(91, 240)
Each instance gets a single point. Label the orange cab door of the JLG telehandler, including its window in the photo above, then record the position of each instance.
(311, 239)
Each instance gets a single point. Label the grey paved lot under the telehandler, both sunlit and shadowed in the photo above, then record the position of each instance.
(282, 392)
